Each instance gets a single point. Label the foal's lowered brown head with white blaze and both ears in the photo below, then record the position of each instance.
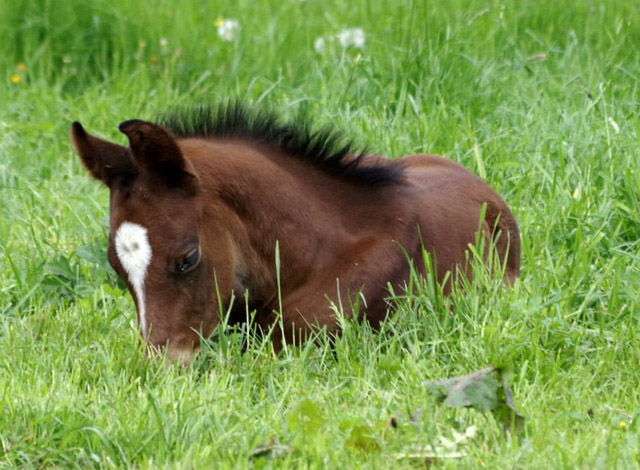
(155, 238)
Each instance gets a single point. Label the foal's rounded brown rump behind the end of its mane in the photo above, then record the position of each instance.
(451, 204)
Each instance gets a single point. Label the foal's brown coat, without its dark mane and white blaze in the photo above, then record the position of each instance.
(238, 198)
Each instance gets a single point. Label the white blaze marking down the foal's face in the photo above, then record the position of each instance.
(134, 252)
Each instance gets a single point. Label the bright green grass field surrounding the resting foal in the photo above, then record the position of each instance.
(538, 97)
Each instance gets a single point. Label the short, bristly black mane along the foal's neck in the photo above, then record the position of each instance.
(325, 148)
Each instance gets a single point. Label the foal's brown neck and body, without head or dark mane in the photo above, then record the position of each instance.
(346, 239)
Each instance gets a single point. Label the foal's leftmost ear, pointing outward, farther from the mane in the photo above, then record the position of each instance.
(105, 160)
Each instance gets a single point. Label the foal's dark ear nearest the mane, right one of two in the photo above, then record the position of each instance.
(155, 149)
